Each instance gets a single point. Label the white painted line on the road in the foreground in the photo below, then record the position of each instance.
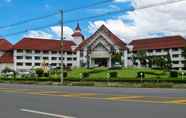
(45, 113)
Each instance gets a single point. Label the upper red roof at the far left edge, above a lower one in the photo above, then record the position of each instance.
(5, 45)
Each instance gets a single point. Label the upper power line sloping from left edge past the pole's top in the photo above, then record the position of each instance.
(53, 14)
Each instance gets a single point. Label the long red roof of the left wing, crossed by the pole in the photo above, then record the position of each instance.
(43, 44)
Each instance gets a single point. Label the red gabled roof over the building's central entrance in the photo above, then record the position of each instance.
(117, 41)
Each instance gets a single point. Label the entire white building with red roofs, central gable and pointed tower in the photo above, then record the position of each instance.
(95, 51)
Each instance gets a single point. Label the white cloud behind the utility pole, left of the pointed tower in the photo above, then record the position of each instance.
(52, 32)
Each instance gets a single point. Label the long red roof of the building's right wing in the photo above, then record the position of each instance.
(159, 43)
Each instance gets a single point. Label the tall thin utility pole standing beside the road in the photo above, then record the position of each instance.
(62, 78)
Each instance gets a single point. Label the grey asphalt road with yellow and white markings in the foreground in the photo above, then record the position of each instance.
(31, 101)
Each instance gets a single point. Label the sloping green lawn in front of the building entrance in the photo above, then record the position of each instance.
(129, 73)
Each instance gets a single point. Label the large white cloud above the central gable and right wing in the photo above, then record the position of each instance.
(155, 21)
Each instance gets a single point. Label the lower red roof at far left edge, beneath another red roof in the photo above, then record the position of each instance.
(7, 57)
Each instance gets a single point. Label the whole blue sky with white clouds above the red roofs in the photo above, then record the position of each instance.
(131, 24)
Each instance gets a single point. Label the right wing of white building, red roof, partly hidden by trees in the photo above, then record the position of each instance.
(160, 47)
